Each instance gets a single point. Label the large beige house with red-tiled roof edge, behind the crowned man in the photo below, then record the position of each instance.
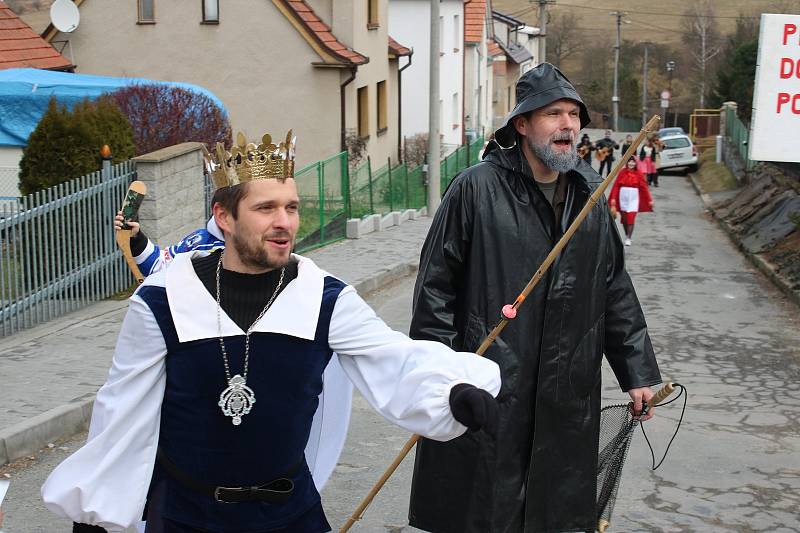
(328, 70)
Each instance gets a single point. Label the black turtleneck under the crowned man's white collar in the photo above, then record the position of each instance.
(243, 295)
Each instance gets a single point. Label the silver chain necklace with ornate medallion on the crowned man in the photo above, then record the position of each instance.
(237, 399)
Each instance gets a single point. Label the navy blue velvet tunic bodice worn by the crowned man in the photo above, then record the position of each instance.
(285, 374)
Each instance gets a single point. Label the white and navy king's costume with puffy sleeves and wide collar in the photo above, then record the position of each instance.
(106, 482)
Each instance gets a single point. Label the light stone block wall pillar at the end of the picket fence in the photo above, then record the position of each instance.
(175, 200)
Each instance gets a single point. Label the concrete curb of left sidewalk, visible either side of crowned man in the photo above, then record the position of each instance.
(30, 436)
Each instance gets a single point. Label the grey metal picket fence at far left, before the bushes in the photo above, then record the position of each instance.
(57, 249)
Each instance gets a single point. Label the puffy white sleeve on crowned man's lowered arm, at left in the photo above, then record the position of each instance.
(105, 482)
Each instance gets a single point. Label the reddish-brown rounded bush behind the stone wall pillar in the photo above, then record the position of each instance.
(163, 116)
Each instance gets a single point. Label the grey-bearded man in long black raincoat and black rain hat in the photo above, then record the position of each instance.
(497, 222)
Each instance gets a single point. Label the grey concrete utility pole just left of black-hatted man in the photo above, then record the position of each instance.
(434, 185)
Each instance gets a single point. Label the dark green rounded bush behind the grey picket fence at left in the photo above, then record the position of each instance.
(66, 144)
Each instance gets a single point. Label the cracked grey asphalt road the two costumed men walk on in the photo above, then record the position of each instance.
(718, 327)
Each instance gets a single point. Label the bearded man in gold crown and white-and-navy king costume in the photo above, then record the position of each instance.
(204, 422)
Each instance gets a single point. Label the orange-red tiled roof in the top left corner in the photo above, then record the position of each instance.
(21, 47)
